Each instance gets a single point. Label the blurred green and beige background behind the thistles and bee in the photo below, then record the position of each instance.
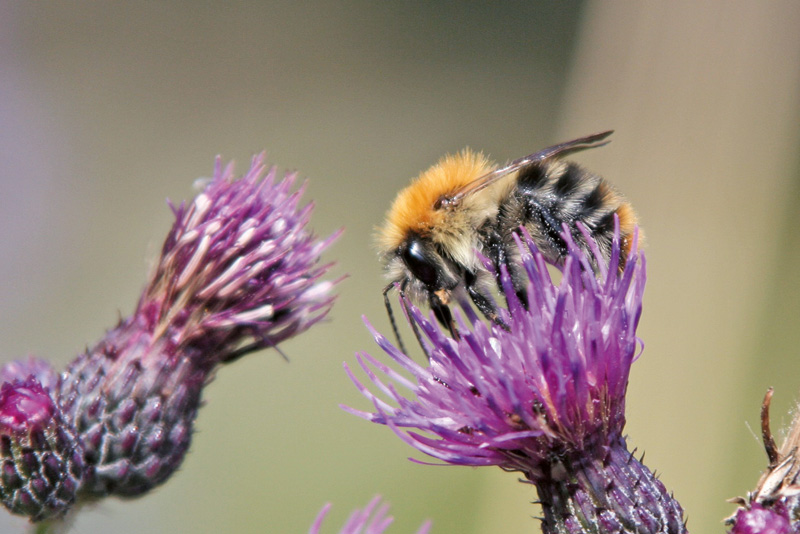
(107, 109)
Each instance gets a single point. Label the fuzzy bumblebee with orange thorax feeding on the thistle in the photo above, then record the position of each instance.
(465, 204)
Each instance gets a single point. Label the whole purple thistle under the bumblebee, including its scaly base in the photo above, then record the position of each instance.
(546, 397)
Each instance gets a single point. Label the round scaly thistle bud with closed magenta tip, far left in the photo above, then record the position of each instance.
(42, 462)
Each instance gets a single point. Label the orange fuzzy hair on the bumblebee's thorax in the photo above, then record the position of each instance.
(413, 209)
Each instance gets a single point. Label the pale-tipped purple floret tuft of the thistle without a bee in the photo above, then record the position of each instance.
(239, 267)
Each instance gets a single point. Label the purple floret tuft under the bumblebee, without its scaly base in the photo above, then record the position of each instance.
(554, 383)
